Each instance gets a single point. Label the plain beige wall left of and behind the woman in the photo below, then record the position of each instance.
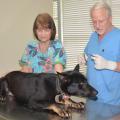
(16, 21)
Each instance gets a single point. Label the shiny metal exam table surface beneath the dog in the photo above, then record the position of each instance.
(94, 111)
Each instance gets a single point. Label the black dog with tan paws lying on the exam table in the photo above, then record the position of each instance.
(41, 90)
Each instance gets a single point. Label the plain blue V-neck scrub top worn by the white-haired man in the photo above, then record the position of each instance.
(107, 82)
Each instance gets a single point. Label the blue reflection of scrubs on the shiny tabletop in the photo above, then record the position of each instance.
(101, 111)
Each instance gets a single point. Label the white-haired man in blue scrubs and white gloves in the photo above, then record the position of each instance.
(102, 55)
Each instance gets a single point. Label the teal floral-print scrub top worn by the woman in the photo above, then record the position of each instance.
(43, 62)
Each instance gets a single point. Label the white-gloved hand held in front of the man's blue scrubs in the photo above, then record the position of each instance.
(102, 63)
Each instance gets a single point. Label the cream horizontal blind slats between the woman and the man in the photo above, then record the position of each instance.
(76, 29)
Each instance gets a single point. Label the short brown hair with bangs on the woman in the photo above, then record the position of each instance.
(46, 21)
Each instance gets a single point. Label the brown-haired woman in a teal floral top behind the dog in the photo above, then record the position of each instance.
(45, 53)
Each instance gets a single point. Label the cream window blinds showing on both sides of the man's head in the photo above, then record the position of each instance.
(76, 26)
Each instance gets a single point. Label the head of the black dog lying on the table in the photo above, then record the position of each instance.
(75, 83)
